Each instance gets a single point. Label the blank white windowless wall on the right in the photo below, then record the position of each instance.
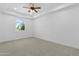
(60, 27)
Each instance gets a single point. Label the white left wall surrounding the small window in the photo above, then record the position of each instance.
(8, 28)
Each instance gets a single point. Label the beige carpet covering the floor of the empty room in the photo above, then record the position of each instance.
(35, 47)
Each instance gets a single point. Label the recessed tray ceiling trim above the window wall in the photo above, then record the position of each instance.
(12, 12)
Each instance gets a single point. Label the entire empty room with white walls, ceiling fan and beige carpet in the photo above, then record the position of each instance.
(39, 29)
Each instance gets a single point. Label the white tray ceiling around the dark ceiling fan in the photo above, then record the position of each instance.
(16, 9)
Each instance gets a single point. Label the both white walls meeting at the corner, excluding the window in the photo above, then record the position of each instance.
(60, 27)
